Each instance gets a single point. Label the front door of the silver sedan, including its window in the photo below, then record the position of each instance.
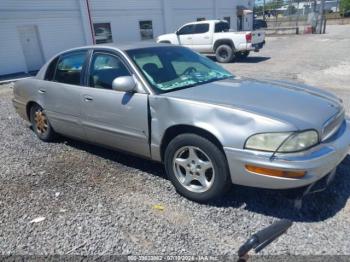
(113, 118)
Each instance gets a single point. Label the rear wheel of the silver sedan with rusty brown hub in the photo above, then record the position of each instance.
(41, 125)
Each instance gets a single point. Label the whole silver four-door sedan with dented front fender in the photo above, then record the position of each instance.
(172, 105)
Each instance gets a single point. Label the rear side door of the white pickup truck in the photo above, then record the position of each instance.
(202, 38)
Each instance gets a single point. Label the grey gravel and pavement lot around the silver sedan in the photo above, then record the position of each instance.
(99, 202)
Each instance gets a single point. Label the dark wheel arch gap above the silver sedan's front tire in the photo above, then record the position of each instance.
(173, 131)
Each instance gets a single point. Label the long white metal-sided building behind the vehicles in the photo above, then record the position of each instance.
(32, 31)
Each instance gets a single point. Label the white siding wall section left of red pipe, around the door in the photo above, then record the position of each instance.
(59, 28)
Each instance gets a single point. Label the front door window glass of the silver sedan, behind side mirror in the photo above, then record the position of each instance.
(104, 69)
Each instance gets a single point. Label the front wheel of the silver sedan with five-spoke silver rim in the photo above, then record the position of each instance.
(187, 174)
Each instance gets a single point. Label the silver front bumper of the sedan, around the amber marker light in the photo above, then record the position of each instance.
(317, 162)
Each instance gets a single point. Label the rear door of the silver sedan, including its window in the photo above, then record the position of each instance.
(62, 91)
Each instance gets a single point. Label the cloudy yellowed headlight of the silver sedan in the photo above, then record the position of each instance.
(283, 142)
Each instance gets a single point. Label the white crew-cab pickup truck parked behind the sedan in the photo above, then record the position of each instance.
(213, 36)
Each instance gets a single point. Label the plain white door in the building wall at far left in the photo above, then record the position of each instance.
(31, 47)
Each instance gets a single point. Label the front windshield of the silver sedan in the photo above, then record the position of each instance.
(170, 68)
